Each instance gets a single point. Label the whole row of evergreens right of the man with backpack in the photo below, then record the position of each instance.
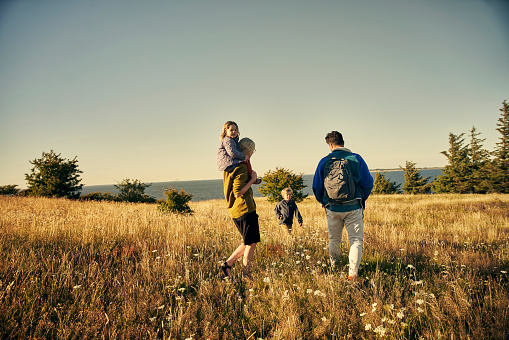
(471, 169)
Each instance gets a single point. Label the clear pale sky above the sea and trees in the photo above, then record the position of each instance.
(141, 89)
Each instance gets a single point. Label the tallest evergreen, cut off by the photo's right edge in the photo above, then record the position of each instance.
(499, 171)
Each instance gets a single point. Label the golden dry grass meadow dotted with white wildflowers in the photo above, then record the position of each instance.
(434, 267)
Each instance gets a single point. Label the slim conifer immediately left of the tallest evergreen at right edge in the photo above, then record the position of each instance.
(477, 179)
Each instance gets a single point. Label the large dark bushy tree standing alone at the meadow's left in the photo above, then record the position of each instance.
(53, 176)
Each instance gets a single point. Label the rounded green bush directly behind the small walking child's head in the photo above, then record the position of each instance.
(275, 181)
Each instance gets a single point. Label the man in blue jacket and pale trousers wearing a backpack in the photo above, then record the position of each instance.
(342, 184)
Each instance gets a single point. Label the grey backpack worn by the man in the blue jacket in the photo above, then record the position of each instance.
(338, 180)
